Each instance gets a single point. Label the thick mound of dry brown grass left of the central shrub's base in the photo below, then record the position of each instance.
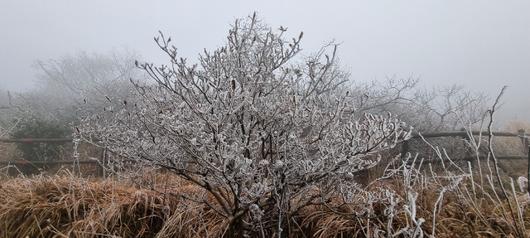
(66, 206)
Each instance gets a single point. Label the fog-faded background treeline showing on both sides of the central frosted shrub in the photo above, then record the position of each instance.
(72, 86)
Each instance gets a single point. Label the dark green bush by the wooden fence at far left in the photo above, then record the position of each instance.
(38, 128)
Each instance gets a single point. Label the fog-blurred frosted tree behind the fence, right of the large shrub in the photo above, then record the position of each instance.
(427, 110)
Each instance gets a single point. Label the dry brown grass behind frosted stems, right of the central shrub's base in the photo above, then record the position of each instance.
(457, 218)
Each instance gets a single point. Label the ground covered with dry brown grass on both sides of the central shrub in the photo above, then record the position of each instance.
(156, 205)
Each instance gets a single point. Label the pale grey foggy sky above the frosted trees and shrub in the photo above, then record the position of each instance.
(481, 44)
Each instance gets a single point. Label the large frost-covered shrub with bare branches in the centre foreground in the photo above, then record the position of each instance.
(262, 130)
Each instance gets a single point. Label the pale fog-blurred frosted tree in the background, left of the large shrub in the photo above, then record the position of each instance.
(81, 80)
